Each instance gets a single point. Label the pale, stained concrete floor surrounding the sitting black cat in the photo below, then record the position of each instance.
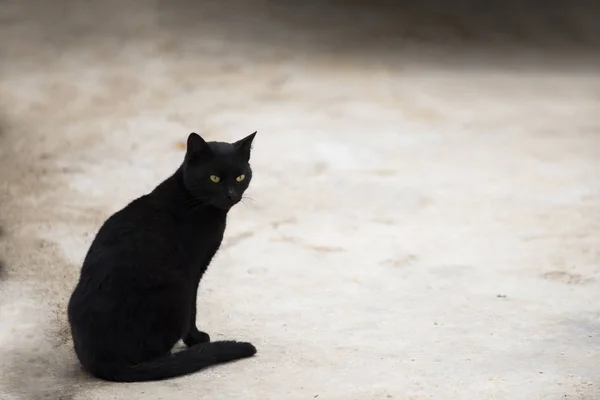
(426, 211)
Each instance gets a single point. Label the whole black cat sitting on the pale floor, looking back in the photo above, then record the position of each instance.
(136, 296)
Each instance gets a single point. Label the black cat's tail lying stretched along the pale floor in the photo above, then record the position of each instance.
(178, 364)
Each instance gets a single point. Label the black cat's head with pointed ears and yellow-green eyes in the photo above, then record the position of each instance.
(217, 173)
